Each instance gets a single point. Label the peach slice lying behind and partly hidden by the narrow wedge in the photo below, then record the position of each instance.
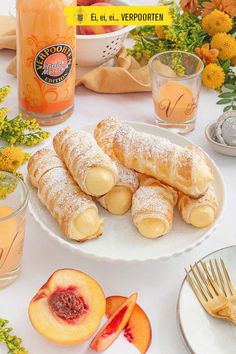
(138, 329)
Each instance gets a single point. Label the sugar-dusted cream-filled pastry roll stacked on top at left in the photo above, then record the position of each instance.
(91, 168)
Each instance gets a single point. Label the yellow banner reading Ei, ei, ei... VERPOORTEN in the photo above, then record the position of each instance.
(118, 15)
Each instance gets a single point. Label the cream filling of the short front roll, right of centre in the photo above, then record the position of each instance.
(151, 227)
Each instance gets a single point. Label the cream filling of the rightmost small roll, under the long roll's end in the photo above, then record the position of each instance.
(202, 216)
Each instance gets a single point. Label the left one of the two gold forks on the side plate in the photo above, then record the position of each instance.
(209, 294)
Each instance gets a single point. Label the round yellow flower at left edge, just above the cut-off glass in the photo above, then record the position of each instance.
(11, 158)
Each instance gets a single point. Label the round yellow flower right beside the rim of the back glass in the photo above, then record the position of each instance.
(213, 76)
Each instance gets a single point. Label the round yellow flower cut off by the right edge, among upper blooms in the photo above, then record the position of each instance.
(226, 44)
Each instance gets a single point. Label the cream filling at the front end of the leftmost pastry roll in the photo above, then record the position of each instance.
(85, 224)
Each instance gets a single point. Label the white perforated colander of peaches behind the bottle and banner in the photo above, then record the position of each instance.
(96, 45)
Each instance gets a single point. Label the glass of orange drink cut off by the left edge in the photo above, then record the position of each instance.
(13, 206)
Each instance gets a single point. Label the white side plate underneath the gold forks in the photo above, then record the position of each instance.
(202, 333)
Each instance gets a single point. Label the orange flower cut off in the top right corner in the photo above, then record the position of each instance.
(228, 6)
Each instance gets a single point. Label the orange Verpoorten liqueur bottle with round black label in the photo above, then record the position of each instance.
(45, 60)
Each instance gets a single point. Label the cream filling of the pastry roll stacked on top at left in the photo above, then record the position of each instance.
(99, 181)
